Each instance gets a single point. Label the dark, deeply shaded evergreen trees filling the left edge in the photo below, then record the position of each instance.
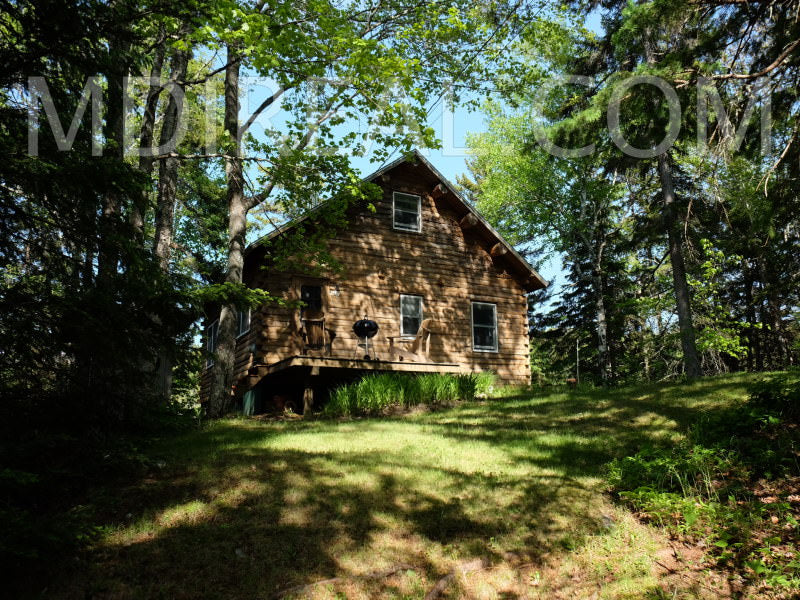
(78, 274)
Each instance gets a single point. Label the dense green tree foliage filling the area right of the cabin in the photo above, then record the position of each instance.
(682, 259)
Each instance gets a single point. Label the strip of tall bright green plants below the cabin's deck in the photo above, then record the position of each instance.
(374, 394)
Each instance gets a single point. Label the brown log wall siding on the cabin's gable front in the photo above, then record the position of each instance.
(447, 266)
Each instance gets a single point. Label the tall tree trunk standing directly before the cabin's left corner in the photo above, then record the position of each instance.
(222, 381)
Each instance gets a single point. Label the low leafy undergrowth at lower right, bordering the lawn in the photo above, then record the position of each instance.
(733, 483)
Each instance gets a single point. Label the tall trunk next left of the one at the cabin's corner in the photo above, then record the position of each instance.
(165, 206)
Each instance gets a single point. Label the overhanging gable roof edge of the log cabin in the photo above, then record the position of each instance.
(531, 278)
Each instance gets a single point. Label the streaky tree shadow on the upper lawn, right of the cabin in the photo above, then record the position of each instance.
(586, 429)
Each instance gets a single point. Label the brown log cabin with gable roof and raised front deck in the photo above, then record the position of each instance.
(437, 288)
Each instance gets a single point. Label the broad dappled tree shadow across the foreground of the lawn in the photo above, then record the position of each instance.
(268, 520)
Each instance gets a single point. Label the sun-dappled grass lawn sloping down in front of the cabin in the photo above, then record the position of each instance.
(506, 495)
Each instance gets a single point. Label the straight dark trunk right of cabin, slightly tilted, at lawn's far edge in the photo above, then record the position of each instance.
(691, 362)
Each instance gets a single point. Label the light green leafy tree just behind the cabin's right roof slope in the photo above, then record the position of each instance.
(551, 205)
